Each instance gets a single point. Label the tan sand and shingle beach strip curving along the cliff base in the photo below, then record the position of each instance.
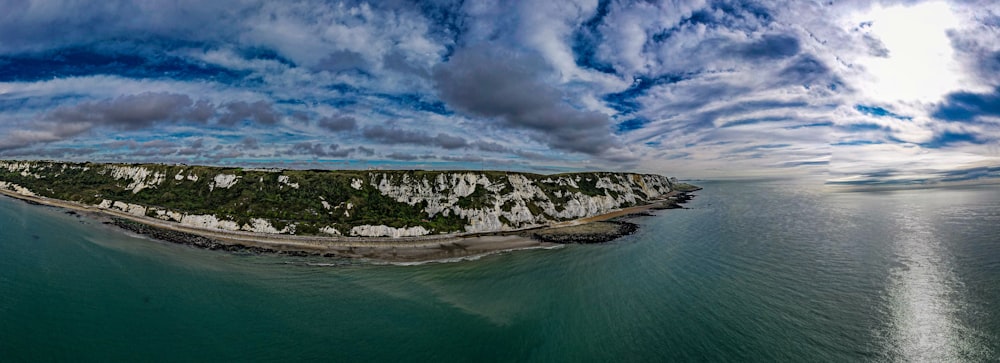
(406, 249)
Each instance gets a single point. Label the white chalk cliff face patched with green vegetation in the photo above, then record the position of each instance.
(350, 203)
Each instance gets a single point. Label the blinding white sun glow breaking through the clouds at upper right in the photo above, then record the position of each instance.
(920, 64)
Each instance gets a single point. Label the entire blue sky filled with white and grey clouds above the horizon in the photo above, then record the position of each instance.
(846, 92)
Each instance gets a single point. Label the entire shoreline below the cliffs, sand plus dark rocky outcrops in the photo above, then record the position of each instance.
(406, 250)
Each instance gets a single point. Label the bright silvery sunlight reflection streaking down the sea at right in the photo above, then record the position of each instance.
(923, 297)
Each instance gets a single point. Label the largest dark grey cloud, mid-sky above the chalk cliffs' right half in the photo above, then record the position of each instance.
(508, 86)
